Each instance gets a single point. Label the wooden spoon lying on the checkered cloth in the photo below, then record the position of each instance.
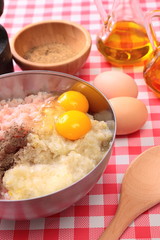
(140, 191)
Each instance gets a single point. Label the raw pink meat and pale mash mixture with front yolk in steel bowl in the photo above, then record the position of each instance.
(37, 156)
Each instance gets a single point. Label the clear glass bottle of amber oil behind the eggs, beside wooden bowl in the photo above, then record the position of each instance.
(123, 39)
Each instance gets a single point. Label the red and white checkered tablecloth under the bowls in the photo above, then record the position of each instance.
(88, 217)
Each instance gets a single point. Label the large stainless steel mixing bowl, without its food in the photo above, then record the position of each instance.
(20, 84)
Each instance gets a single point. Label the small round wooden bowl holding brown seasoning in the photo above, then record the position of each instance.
(64, 34)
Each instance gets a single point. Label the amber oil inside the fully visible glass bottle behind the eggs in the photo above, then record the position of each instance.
(126, 44)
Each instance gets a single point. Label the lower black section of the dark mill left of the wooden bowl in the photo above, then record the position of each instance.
(6, 63)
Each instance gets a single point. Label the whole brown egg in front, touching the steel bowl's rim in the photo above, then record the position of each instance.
(131, 114)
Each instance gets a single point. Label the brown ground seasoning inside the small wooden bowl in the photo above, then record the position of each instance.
(50, 53)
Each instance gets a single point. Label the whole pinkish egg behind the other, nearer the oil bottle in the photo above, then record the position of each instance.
(116, 84)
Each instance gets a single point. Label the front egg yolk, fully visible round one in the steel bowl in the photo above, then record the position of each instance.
(73, 124)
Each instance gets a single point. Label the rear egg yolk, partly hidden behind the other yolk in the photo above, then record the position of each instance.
(73, 100)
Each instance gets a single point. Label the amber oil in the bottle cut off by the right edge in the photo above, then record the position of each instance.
(152, 73)
